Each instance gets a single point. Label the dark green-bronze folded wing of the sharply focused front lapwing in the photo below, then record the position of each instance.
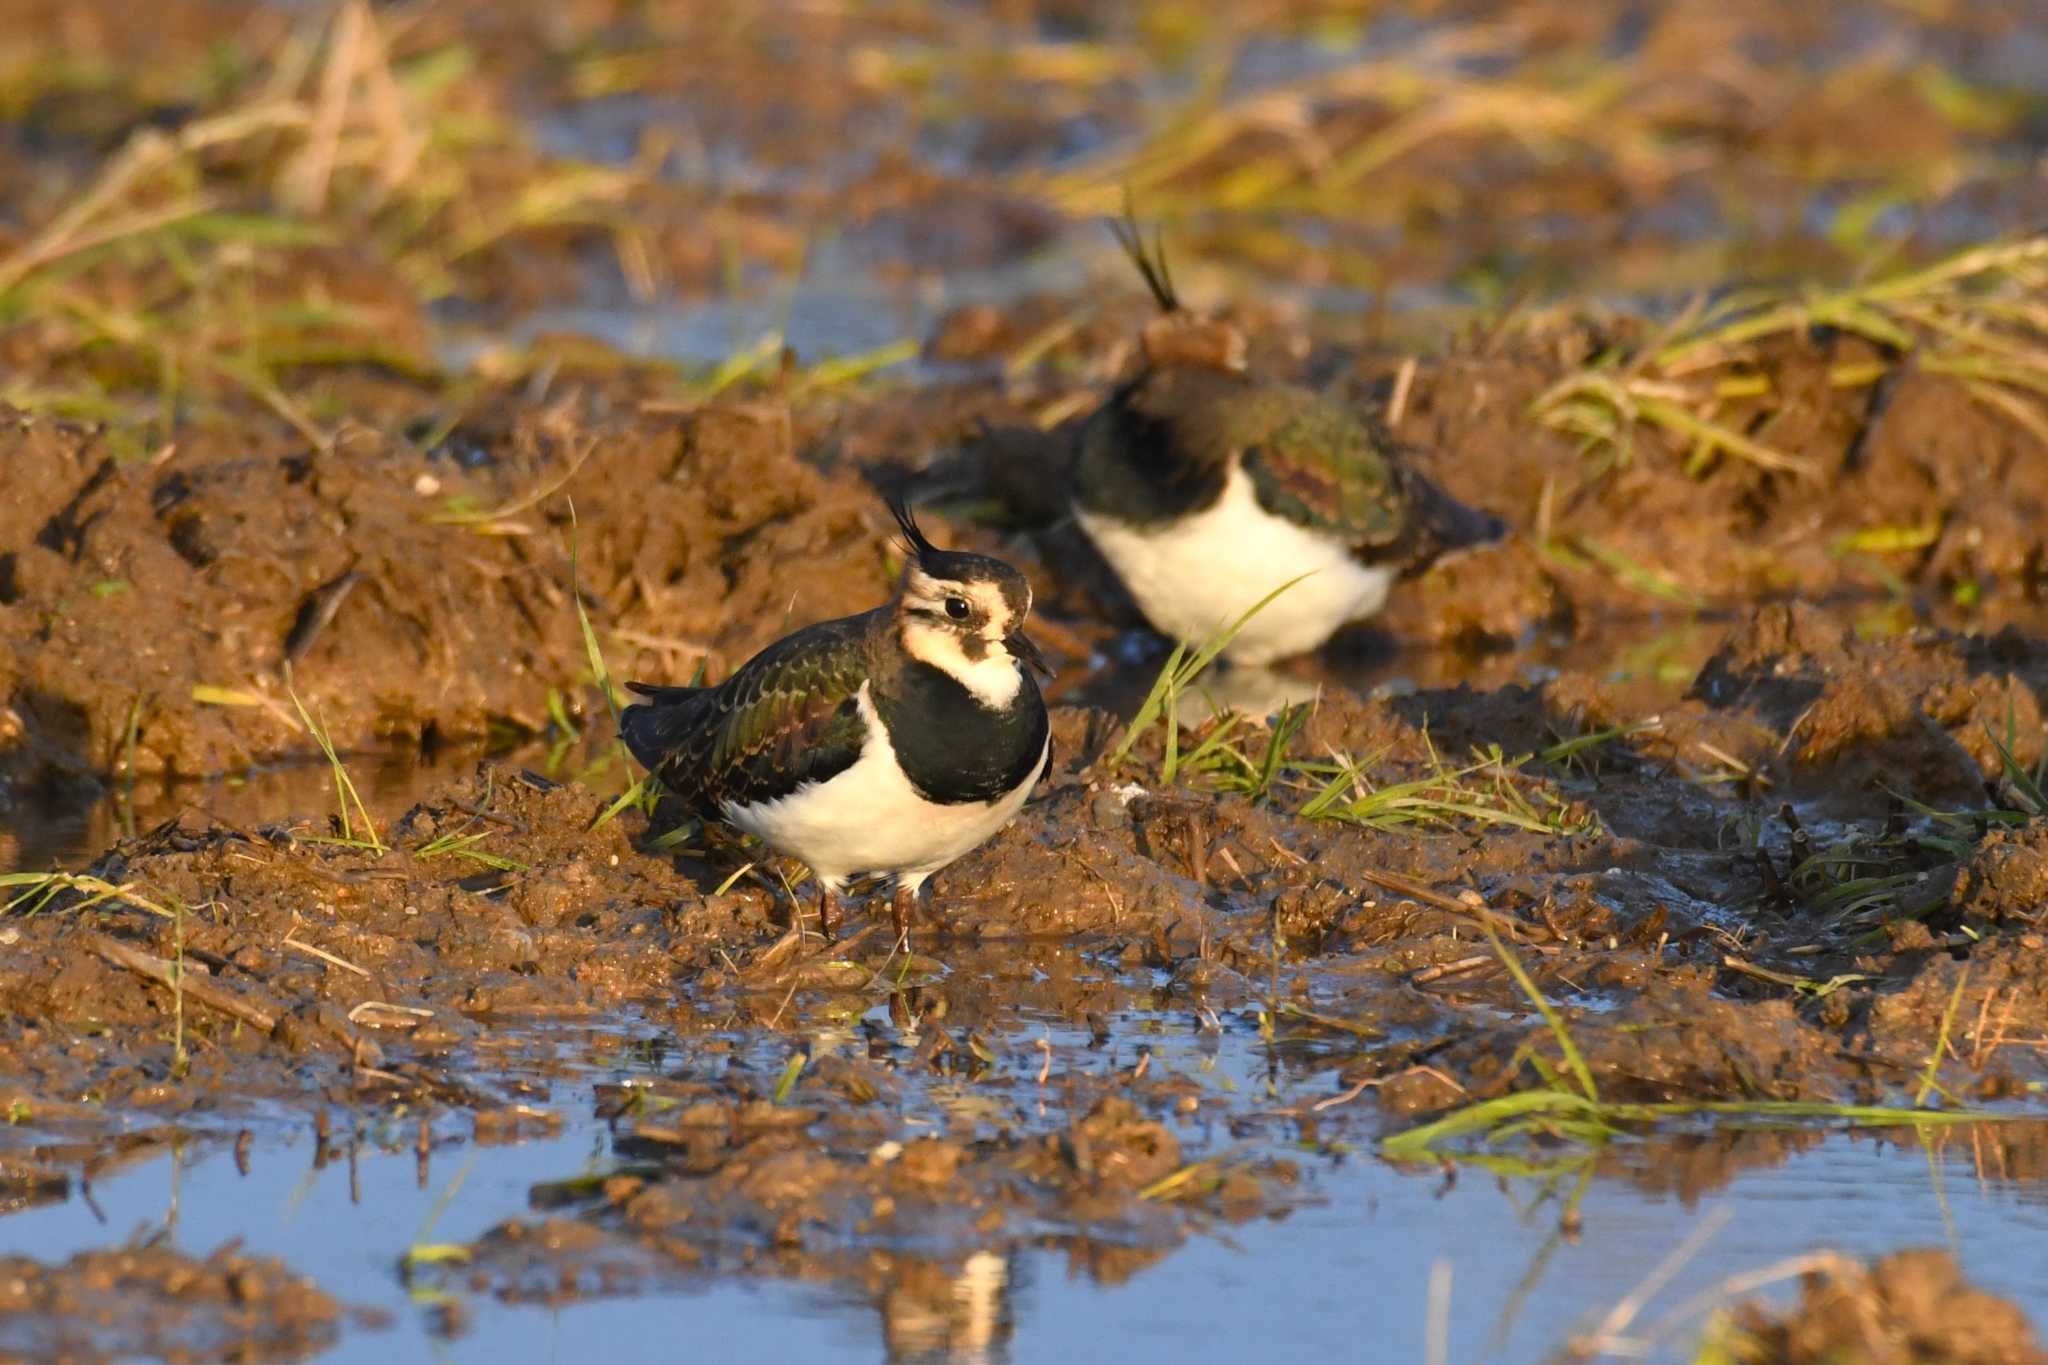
(785, 719)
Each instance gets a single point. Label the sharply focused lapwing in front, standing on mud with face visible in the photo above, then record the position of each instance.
(886, 744)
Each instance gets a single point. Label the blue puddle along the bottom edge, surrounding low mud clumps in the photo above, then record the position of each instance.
(1342, 1258)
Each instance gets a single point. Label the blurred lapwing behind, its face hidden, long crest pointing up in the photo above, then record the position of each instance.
(1207, 490)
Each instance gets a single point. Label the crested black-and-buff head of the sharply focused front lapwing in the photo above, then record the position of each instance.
(964, 615)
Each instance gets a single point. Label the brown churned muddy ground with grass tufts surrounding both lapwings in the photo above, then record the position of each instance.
(1734, 744)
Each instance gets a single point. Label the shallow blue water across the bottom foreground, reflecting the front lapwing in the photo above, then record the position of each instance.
(1345, 1272)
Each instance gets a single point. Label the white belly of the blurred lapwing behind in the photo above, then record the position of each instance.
(1205, 572)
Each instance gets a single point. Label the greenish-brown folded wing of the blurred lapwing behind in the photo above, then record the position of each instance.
(1320, 466)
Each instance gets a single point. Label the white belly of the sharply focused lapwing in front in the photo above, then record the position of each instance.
(869, 820)
